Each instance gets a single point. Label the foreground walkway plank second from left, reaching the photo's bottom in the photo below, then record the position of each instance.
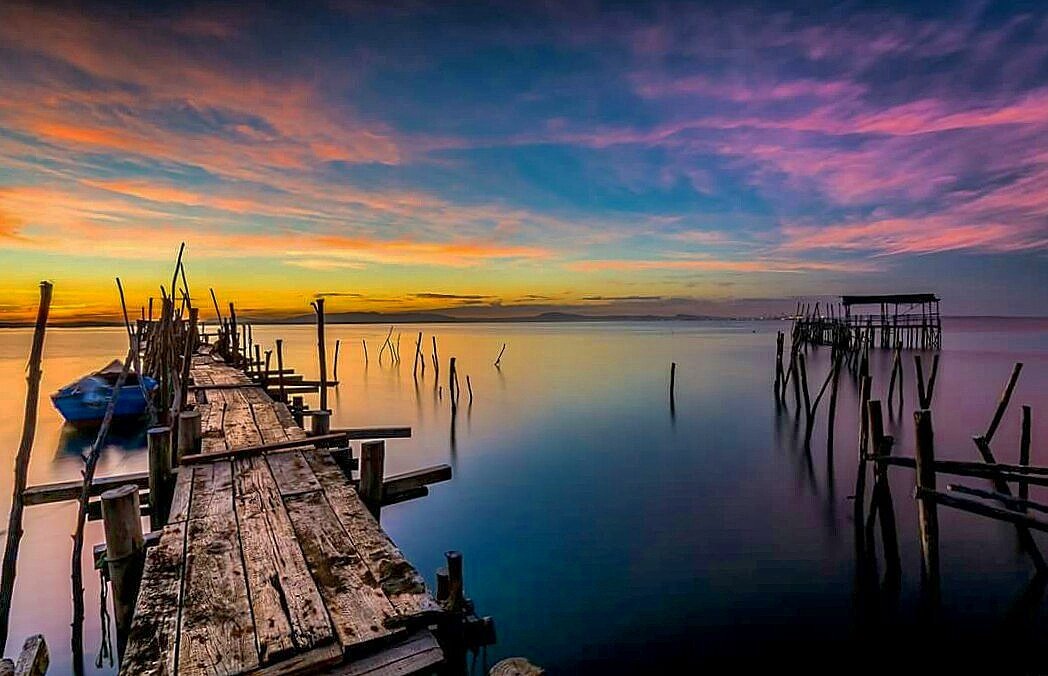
(217, 634)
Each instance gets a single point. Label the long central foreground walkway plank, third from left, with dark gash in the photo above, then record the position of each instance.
(290, 615)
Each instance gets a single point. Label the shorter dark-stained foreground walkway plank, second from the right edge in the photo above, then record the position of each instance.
(355, 601)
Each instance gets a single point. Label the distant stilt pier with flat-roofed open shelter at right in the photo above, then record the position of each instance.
(910, 320)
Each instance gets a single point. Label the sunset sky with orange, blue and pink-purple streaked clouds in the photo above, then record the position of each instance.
(509, 159)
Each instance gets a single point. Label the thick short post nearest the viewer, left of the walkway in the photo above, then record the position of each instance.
(125, 554)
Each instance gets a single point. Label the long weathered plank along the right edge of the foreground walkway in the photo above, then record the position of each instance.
(400, 581)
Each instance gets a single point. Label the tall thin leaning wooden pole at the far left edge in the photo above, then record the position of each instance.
(23, 462)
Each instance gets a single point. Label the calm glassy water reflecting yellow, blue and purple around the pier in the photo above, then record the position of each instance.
(603, 532)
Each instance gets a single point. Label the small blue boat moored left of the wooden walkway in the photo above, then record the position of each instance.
(84, 403)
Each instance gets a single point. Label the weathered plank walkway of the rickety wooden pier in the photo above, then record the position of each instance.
(272, 564)
